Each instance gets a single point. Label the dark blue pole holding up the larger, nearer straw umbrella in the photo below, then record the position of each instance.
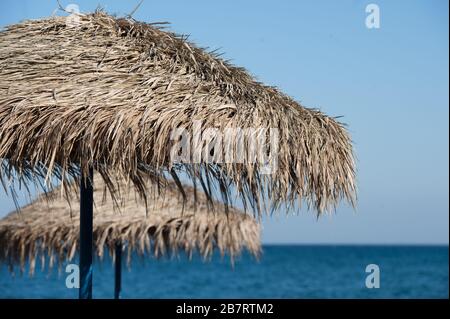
(86, 208)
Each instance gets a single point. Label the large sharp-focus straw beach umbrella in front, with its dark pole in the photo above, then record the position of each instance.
(107, 94)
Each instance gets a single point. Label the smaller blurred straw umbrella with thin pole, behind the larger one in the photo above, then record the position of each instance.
(48, 228)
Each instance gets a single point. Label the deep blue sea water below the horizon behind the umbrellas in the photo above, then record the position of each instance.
(282, 272)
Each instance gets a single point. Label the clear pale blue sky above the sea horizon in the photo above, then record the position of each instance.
(391, 85)
